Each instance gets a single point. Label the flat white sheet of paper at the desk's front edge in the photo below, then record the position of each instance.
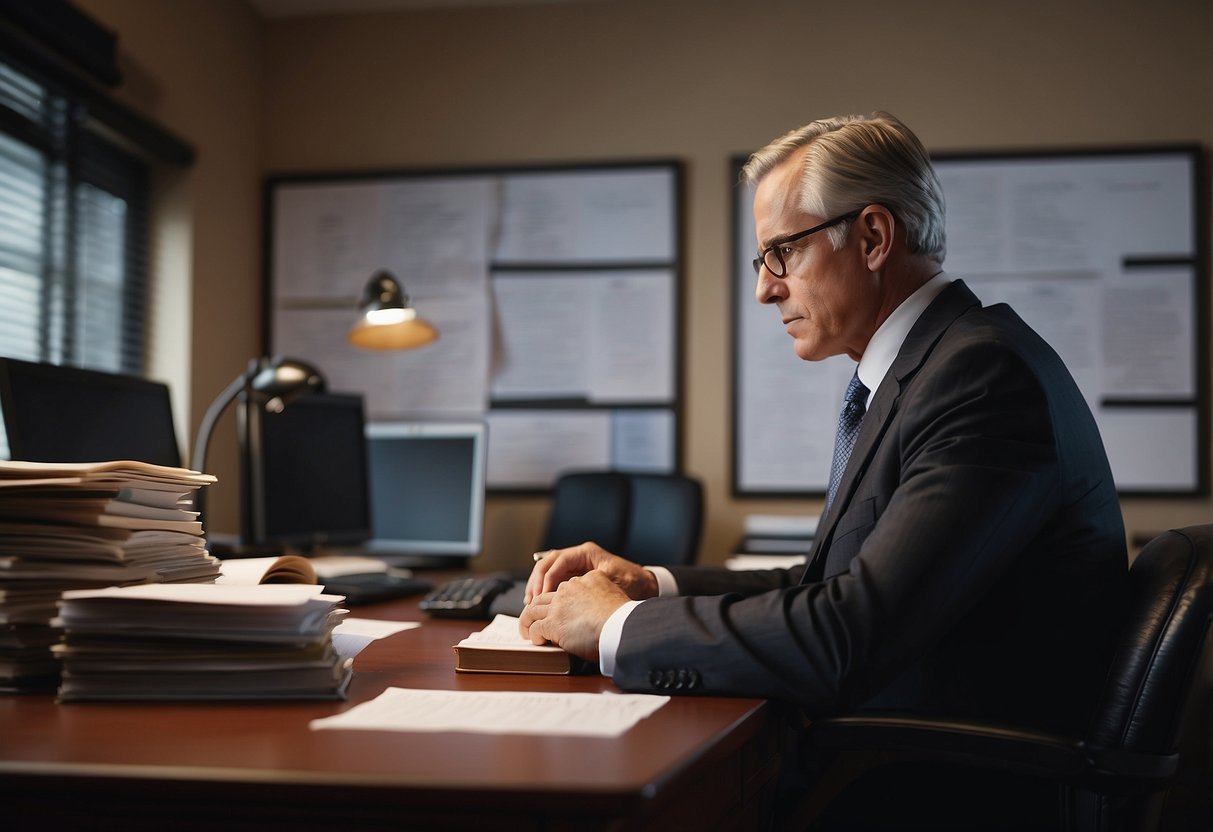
(498, 713)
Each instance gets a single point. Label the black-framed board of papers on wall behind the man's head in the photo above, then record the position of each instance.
(1104, 253)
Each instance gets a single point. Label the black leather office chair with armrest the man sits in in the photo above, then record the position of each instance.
(1118, 776)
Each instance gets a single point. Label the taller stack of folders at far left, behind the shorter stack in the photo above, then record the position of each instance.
(83, 526)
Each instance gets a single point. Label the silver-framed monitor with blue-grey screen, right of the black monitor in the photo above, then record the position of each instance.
(428, 491)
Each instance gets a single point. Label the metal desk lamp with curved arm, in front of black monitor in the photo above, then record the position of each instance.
(266, 386)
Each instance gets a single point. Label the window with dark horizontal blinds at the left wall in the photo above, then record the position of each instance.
(73, 227)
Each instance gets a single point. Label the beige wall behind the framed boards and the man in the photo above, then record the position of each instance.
(699, 81)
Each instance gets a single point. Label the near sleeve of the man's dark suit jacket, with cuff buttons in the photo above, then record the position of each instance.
(963, 481)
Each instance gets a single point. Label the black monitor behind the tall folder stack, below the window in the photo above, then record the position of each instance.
(61, 414)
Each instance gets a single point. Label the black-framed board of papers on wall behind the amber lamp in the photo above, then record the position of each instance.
(556, 292)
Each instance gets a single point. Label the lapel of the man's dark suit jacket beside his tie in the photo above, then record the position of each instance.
(950, 305)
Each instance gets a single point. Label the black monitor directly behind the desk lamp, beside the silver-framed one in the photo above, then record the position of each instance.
(310, 474)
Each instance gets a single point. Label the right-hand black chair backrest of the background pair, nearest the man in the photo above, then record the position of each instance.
(667, 520)
